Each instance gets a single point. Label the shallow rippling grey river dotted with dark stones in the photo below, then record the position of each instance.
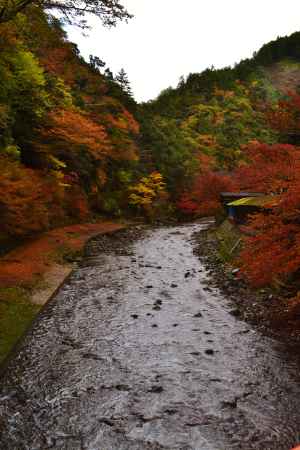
(135, 352)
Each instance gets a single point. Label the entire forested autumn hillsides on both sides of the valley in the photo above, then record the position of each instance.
(74, 144)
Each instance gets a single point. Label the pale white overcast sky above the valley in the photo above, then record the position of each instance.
(170, 38)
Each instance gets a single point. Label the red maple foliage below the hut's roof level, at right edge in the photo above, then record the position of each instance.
(271, 254)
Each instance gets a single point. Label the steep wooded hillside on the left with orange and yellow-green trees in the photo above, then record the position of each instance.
(68, 133)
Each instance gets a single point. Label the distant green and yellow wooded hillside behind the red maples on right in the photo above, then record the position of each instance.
(210, 116)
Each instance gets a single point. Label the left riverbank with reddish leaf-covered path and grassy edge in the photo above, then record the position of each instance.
(31, 273)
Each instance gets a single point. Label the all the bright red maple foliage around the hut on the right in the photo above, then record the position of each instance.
(271, 245)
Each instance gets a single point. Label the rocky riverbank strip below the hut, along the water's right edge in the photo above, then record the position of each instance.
(273, 314)
